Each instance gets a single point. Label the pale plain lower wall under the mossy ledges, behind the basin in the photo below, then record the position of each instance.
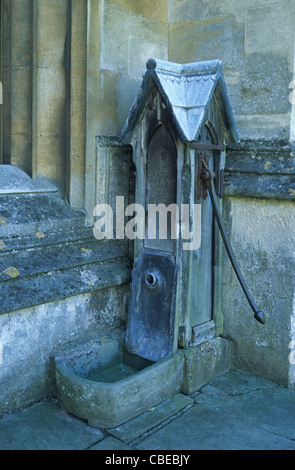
(31, 337)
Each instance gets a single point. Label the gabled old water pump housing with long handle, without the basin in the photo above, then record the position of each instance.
(178, 127)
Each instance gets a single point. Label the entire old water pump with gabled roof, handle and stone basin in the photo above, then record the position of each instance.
(178, 128)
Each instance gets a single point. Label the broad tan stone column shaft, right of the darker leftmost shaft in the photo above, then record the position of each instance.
(50, 47)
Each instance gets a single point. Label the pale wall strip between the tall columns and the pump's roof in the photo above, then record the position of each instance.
(131, 32)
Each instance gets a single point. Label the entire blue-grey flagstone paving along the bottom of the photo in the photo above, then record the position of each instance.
(234, 412)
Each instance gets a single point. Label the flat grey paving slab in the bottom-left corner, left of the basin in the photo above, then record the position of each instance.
(45, 426)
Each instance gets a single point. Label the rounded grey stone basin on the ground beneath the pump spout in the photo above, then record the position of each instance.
(99, 381)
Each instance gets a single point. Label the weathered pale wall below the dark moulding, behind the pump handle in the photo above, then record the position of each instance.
(262, 234)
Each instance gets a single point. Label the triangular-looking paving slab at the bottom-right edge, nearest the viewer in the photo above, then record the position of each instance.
(202, 428)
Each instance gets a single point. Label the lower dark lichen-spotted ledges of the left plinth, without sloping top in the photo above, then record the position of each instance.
(37, 270)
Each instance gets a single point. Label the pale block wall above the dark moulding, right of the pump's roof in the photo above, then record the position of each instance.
(255, 41)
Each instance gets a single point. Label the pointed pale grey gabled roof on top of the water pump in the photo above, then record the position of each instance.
(187, 91)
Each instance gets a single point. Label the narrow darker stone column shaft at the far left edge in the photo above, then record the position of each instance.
(17, 82)
